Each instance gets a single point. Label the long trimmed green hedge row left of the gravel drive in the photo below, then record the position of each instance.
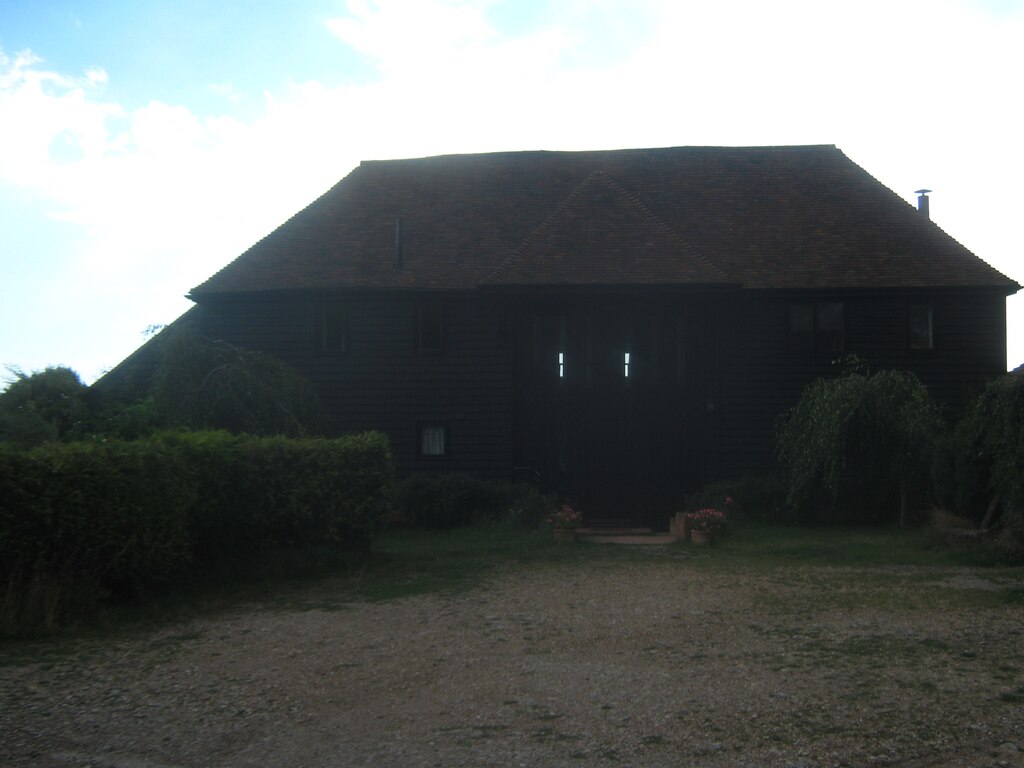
(83, 522)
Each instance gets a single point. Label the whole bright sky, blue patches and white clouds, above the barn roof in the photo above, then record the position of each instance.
(145, 145)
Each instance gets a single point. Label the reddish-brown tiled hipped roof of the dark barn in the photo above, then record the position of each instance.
(787, 218)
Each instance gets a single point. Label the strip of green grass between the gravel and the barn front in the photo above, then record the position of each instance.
(408, 563)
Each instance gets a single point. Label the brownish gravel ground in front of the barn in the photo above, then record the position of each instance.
(641, 664)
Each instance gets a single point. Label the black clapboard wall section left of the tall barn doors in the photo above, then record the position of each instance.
(381, 381)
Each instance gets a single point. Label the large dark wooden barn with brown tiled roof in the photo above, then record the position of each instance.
(626, 326)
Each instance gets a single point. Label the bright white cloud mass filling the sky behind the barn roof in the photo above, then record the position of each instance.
(920, 95)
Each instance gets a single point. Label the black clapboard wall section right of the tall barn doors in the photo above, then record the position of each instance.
(760, 377)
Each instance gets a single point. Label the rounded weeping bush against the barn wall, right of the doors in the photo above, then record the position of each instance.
(860, 448)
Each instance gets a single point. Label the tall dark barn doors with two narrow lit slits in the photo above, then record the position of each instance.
(601, 413)
